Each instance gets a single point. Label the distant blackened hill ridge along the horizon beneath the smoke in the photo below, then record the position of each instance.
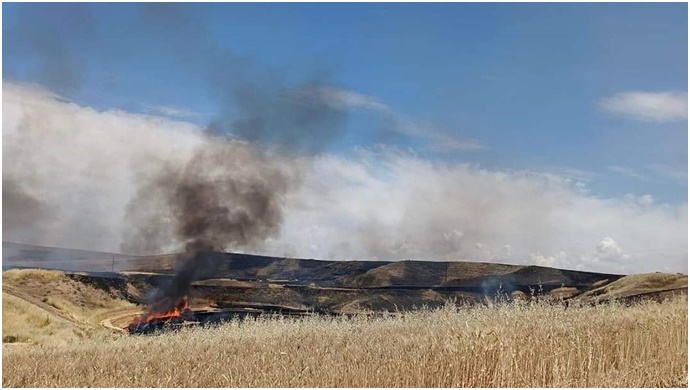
(412, 274)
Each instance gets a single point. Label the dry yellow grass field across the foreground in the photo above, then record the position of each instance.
(516, 345)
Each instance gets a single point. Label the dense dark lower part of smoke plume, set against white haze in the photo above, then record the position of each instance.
(228, 196)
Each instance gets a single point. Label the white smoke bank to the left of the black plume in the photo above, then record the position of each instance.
(80, 163)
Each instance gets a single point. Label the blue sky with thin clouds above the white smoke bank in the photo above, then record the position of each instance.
(592, 91)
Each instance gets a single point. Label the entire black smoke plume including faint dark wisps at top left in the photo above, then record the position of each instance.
(227, 196)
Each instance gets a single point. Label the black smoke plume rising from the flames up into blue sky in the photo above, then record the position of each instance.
(228, 197)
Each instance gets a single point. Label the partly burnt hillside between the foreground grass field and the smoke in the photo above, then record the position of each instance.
(40, 305)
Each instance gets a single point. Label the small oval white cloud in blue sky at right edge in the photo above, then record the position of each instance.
(648, 106)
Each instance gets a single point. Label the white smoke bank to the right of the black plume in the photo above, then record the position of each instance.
(389, 205)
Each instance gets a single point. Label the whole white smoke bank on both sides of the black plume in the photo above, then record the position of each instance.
(82, 167)
